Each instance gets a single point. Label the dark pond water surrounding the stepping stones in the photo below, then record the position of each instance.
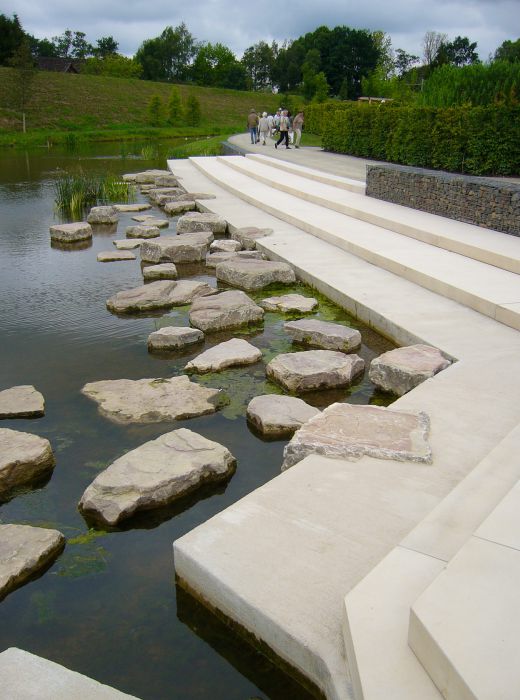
(109, 607)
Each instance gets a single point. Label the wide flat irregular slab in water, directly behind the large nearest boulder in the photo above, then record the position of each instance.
(153, 400)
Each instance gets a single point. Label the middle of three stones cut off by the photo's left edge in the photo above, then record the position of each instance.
(24, 458)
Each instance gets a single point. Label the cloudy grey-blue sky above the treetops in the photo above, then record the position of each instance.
(241, 24)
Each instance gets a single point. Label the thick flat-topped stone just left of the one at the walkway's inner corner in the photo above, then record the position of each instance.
(311, 370)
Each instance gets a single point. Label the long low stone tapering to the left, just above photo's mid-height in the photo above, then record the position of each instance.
(157, 295)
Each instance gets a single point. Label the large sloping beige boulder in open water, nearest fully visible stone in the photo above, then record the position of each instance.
(155, 474)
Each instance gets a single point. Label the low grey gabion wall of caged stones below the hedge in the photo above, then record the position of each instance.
(492, 204)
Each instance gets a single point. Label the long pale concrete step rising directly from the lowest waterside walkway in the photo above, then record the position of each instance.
(484, 288)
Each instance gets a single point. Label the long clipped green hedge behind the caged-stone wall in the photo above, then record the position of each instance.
(474, 140)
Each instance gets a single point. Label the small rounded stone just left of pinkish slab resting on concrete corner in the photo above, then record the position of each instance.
(279, 416)
